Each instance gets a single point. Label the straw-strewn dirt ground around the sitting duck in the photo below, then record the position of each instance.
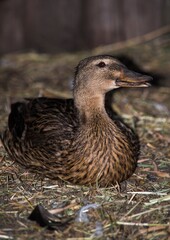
(141, 209)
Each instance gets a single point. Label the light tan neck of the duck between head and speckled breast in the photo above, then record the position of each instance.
(89, 104)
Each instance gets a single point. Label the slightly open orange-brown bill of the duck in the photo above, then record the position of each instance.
(133, 79)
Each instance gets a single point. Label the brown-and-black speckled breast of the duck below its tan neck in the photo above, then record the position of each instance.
(111, 158)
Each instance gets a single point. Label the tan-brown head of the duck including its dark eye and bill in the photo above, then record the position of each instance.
(103, 73)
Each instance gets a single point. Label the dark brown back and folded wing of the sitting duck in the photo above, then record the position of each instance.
(41, 127)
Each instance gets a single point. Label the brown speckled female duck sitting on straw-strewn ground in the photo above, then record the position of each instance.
(77, 141)
